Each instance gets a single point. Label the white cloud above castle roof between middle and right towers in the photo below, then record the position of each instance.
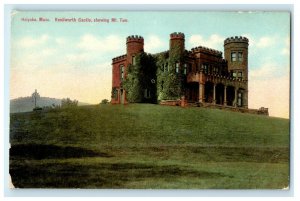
(213, 41)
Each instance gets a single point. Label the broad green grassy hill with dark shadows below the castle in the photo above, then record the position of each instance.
(148, 146)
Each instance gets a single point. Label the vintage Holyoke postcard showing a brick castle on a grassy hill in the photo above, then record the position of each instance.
(150, 100)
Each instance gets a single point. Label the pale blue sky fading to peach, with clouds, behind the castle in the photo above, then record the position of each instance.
(73, 59)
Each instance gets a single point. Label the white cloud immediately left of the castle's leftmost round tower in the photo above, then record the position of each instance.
(110, 43)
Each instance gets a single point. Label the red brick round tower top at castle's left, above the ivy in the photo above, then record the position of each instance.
(134, 45)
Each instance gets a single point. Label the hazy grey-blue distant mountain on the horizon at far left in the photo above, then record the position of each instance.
(26, 104)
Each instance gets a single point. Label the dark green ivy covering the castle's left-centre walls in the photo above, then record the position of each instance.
(152, 78)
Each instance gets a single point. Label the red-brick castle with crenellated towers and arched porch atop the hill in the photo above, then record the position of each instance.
(207, 78)
